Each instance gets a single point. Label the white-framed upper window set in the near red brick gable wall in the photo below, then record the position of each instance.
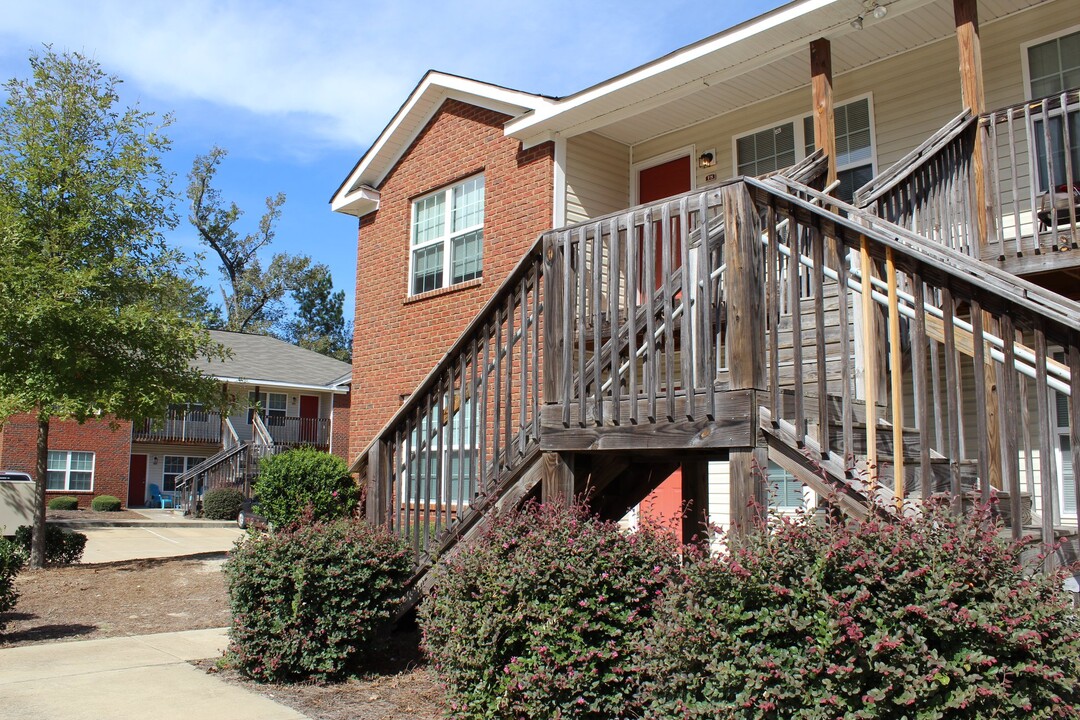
(448, 237)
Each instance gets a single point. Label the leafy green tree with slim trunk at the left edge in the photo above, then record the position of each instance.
(89, 319)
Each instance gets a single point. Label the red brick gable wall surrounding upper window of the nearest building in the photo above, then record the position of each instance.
(398, 341)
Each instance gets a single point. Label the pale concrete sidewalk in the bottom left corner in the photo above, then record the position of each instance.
(127, 678)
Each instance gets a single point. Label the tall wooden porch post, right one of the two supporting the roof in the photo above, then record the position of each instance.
(966, 17)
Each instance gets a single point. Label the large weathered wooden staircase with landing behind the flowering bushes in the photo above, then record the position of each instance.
(786, 327)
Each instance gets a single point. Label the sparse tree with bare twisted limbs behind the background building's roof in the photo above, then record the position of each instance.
(255, 297)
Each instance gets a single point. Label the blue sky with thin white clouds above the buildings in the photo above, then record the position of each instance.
(298, 91)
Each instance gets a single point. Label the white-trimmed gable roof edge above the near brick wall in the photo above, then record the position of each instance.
(359, 194)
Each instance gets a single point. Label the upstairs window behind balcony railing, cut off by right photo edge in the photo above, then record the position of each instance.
(1052, 66)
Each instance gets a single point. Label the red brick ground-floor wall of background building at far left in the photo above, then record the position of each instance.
(112, 451)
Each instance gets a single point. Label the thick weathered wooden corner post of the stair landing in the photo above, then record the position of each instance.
(747, 322)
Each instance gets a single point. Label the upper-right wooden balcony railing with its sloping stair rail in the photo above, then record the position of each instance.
(1032, 195)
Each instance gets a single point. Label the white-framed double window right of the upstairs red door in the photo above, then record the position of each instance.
(771, 150)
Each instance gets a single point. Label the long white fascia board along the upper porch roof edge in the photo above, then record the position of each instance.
(530, 126)
